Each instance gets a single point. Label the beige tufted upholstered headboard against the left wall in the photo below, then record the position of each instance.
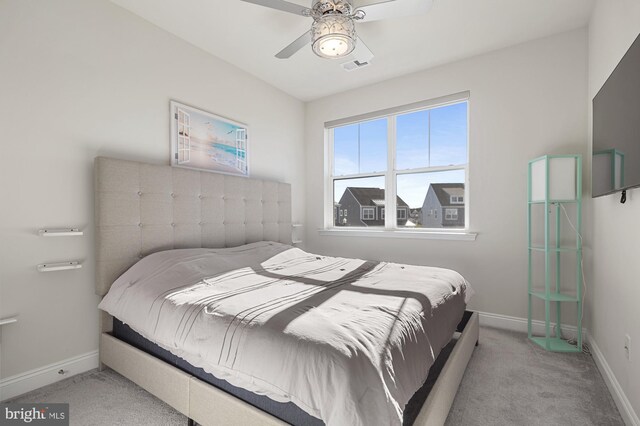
(143, 208)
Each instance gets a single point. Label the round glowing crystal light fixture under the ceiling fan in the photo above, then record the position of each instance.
(333, 36)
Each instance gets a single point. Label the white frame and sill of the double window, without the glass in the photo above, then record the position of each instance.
(392, 173)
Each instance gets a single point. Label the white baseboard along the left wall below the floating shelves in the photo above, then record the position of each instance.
(34, 379)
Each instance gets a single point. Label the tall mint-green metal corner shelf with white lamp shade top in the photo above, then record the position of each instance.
(540, 191)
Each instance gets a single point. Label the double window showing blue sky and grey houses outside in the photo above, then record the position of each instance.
(407, 158)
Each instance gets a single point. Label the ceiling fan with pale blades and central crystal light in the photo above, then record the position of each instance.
(333, 32)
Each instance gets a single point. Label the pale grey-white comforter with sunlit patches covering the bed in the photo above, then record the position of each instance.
(346, 340)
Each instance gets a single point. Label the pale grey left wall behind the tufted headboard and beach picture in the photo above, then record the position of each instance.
(82, 78)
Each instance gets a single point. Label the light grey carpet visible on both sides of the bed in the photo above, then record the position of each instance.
(509, 381)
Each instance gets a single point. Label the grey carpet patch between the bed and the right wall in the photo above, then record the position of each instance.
(512, 381)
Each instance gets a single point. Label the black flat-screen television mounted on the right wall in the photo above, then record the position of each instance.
(615, 162)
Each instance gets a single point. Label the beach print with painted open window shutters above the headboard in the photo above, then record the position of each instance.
(204, 141)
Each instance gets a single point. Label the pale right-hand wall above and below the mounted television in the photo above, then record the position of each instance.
(614, 291)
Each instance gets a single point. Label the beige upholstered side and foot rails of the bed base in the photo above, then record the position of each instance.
(208, 405)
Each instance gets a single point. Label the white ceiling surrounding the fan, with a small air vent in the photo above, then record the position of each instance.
(248, 36)
